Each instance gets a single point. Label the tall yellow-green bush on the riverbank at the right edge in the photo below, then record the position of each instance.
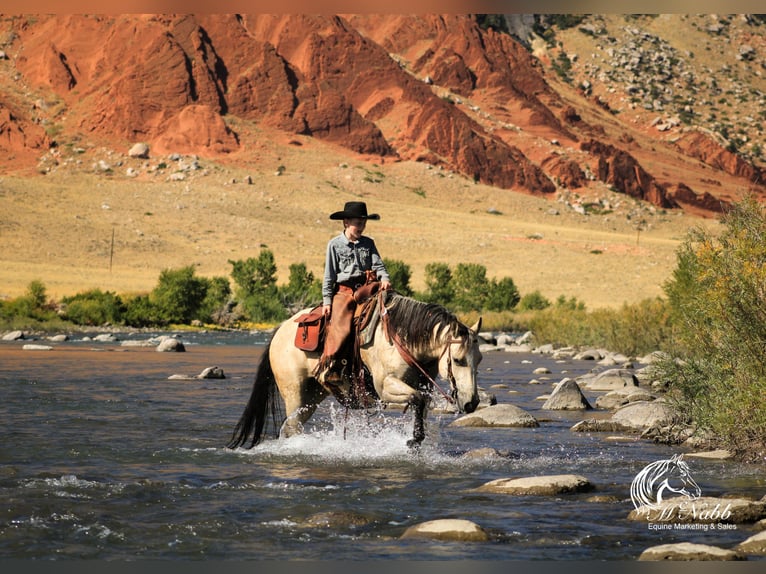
(717, 296)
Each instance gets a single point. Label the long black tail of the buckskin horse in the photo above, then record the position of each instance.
(264, 403)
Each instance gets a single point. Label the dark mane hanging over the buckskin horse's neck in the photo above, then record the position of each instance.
(422, 325)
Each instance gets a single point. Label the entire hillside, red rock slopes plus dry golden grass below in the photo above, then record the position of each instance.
(83, 214)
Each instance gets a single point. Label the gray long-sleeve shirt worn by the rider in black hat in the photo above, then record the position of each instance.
(346, 259)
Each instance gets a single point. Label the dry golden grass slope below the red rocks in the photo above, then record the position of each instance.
(59, 228)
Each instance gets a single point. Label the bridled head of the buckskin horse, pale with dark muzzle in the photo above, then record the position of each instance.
(459, 366)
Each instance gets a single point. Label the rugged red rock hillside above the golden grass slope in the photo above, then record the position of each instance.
(666, 109)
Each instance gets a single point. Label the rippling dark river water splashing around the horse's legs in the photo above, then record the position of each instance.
(104, 458)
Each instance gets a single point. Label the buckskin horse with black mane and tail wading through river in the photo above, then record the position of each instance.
(407, 343)
